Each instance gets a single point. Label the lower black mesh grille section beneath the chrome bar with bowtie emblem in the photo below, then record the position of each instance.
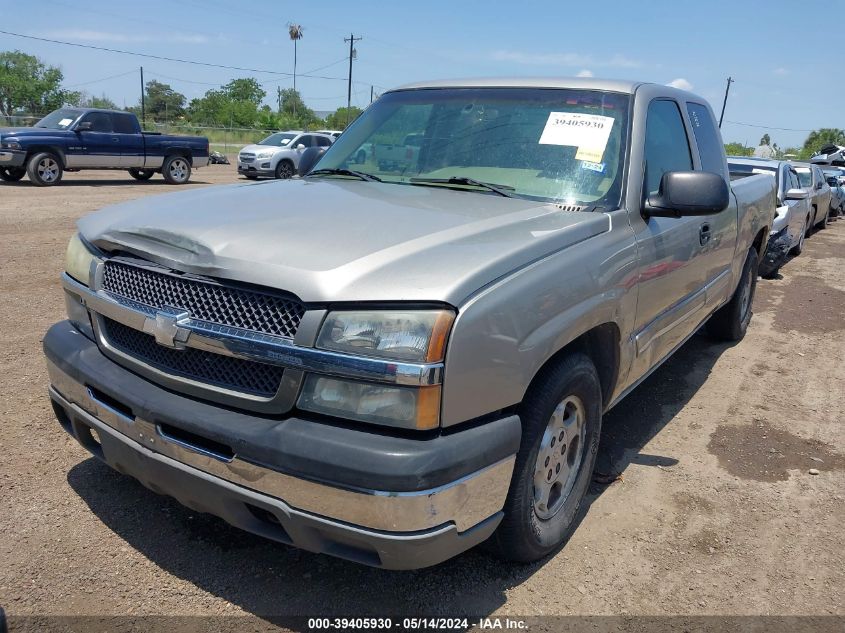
(223, 371)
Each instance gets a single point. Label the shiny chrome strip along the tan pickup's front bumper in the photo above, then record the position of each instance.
(464, 502)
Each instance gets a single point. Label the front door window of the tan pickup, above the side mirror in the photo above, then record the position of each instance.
(666, 145)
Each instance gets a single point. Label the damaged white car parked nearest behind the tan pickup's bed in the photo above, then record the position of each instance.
(793, 216)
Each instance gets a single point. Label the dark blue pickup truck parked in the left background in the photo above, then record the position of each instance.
(71, 139)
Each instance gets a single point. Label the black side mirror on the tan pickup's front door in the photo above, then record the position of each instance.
(685, 193)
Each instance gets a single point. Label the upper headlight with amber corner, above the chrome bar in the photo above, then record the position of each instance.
(412, 335)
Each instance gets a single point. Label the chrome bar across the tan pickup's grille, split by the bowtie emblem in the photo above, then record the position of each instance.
(240, 343)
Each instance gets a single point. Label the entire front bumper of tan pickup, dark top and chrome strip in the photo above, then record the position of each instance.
(392, 502)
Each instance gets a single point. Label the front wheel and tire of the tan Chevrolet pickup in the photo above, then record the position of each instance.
(561, 424)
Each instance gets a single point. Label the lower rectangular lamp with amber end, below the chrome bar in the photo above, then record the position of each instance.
(404, 407)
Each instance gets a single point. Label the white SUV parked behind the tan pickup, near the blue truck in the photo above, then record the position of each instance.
(277, 156)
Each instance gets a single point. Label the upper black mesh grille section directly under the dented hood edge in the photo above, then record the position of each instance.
(207, 301)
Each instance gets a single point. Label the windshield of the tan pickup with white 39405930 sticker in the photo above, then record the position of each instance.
(545, 144)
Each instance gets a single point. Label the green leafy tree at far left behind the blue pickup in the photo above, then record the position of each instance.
(27, 84)
